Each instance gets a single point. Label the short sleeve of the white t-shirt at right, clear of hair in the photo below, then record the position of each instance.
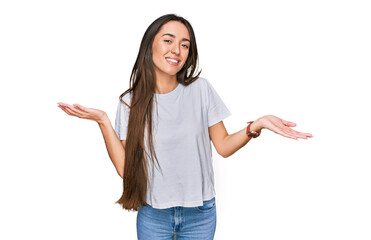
(216, 109)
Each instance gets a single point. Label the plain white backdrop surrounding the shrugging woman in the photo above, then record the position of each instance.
(304, 61)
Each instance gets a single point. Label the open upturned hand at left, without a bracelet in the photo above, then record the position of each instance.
(83, 112)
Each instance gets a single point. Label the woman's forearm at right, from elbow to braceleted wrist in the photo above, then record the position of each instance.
(233, 142)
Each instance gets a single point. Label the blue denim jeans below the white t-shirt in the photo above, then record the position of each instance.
(186, 223)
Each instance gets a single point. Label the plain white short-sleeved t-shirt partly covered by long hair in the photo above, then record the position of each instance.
(182, 144)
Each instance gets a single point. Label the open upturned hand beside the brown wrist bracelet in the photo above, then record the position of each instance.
(280, 126)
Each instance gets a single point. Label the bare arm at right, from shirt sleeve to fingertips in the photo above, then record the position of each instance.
(226, 144)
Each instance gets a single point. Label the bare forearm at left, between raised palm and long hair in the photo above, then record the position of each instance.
(114, 146)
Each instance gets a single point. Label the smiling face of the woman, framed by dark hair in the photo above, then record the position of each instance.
(170, 49)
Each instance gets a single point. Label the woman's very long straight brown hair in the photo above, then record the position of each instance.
(142, 87)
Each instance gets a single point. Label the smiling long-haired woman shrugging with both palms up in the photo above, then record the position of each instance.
(170, 114)
